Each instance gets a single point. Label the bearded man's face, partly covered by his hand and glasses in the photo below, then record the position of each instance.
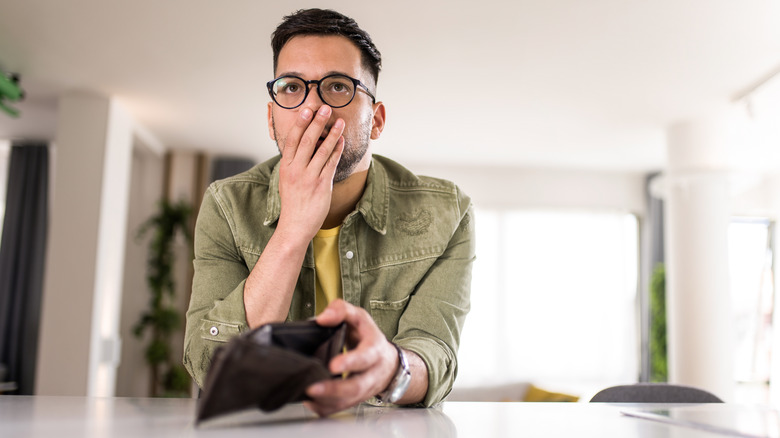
(314, 57)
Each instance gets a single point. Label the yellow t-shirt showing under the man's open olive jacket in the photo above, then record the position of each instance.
(326, 264)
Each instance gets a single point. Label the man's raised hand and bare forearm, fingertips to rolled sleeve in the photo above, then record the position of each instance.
(305, 186)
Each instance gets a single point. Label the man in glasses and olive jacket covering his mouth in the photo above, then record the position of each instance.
(331, 230)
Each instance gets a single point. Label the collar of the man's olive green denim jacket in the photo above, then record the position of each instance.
(373, 205)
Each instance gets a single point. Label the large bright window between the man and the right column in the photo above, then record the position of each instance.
(553, 300)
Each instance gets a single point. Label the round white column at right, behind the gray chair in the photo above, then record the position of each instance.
(699, 322)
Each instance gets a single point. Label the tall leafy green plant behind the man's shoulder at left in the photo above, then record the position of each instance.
(161, 319)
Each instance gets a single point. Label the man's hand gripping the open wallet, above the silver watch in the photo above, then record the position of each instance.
(371, 364)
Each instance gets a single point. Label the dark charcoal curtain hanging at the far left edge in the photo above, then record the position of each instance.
(22, 251)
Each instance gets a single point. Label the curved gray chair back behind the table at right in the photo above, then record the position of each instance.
(654, 393)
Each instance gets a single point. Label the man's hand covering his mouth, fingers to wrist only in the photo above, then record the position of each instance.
(308, 164)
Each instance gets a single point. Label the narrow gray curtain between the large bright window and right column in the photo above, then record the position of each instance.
(652, 254)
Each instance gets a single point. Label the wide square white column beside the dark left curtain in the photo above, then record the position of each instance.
(79, 343)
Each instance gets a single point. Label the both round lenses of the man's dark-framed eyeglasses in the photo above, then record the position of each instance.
(336, 91)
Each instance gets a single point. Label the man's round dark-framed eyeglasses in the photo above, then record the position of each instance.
(336, 90)
